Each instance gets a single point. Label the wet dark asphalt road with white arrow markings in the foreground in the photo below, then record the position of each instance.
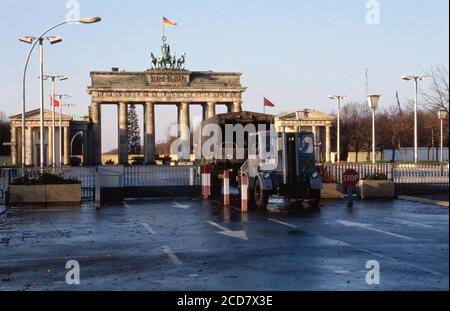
(196, 245)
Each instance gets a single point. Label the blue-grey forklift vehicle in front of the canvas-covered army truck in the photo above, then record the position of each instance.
(290, 171)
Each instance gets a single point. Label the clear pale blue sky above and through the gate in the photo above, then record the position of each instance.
(295, 52)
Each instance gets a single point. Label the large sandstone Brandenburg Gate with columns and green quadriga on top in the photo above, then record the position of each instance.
(166, 83)
